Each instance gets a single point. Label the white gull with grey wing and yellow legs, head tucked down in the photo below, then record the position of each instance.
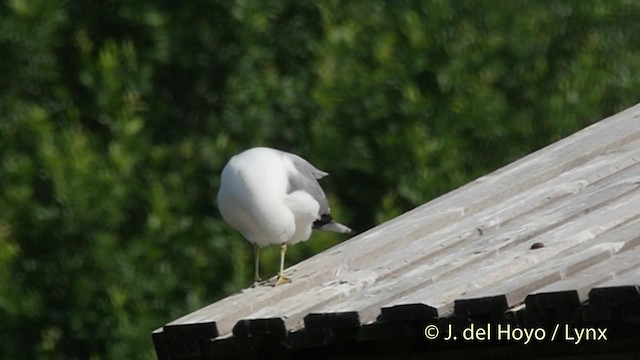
(273, 198)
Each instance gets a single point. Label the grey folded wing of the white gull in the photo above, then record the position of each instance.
(304, 177)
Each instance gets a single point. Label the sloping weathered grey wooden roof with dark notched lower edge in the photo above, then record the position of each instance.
(551, 238)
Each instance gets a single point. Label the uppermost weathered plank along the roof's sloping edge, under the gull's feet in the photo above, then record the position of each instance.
(412, 227)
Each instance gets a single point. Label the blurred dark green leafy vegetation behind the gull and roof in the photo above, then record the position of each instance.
(116, 118)
